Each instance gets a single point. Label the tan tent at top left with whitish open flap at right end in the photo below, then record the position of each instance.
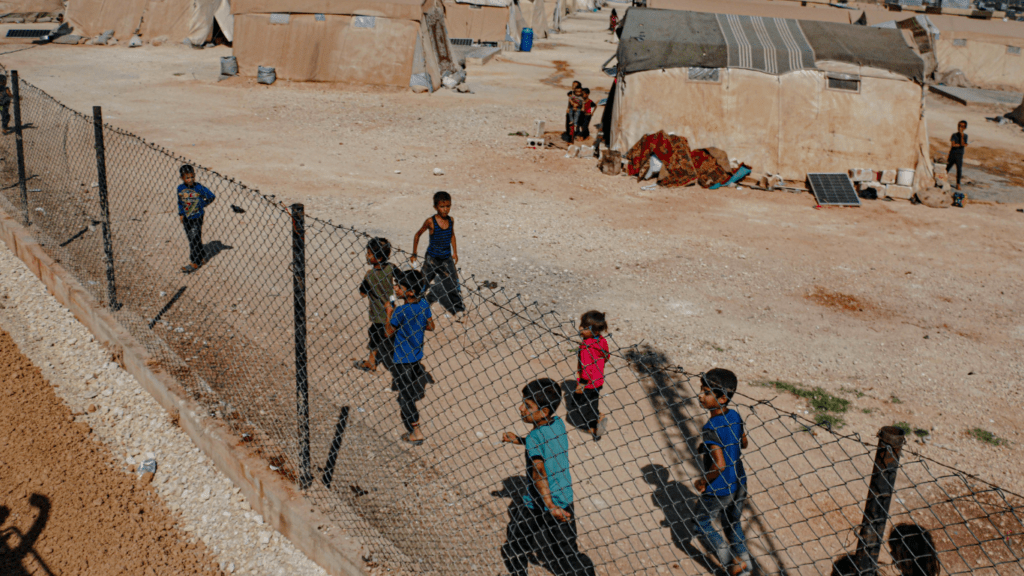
(177, 20)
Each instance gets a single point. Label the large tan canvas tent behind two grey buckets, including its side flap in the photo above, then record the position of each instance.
(382, 43)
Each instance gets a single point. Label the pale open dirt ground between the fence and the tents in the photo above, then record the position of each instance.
(907, 311)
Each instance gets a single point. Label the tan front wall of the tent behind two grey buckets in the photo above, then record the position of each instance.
(332, 51)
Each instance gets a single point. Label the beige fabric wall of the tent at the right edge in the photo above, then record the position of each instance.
(986, 61)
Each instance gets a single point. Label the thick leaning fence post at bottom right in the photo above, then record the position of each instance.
(880, 496)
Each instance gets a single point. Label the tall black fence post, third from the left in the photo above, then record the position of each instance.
(302, 373)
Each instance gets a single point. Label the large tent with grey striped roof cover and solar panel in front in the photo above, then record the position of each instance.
(786, 97)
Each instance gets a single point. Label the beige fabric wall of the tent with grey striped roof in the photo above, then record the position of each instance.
(790, 126)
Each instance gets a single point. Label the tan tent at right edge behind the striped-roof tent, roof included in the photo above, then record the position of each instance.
(990, 54)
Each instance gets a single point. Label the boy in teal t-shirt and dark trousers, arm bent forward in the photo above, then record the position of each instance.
(544, 524)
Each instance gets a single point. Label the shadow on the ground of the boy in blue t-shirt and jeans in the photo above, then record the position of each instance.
(680, 506)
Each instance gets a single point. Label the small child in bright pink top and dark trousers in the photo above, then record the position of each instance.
(590, 373)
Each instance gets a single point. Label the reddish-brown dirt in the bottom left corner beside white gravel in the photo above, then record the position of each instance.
(65, 508)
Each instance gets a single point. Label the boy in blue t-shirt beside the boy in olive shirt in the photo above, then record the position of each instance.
(408, 324)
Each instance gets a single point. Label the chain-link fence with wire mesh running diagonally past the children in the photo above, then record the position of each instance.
(279, 286)
